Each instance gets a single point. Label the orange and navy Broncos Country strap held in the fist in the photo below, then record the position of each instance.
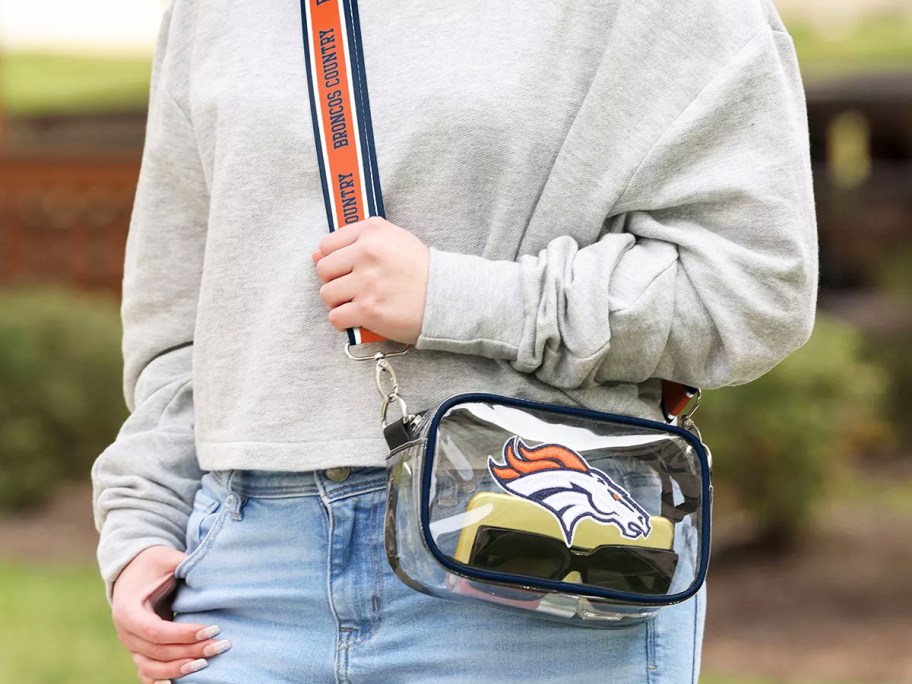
(340, 111)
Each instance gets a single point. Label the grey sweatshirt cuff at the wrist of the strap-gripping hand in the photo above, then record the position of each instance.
(473, 306)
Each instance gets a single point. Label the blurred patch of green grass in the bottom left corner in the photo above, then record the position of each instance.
(56, 628)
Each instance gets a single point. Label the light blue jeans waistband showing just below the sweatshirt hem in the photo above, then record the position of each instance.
(280, 483)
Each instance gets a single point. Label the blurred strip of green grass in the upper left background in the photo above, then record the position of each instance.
(37, 83)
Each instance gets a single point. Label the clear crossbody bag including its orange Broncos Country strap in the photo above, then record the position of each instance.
(558, 512)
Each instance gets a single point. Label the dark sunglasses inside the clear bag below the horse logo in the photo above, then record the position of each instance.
(624, 568)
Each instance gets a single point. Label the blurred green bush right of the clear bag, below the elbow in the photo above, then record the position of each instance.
(781, 442)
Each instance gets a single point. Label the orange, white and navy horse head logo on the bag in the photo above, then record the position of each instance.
(560, 481)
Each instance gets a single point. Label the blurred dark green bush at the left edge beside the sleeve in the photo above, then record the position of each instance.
(61, 401)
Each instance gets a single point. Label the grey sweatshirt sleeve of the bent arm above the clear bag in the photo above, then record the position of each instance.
(706, 272)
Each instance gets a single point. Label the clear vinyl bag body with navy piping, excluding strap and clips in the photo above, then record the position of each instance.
(574, 515)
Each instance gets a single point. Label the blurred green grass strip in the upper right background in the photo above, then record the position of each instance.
(880, 40)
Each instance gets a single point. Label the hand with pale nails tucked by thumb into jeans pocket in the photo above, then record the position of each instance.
(141, 606)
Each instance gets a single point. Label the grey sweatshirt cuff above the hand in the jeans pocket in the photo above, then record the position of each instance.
(122, 539)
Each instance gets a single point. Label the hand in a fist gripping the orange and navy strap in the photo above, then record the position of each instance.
(375, 276)
